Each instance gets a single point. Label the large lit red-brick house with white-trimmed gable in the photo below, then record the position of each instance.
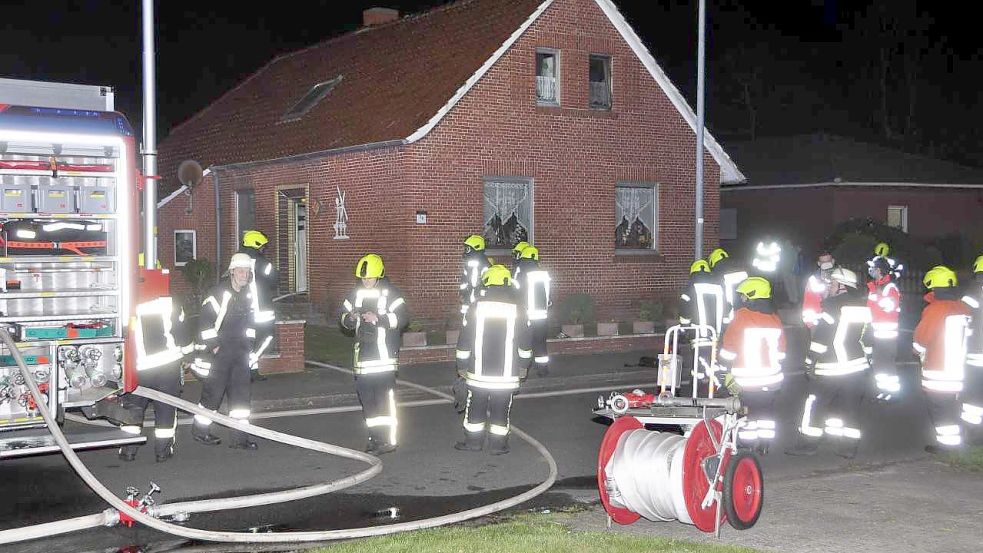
(544, 120)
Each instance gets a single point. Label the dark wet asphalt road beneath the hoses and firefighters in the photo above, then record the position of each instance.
(425, 477)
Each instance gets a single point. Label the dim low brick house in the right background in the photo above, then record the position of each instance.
(801, 187)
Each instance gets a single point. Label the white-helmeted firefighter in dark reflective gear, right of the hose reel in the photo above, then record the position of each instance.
(838, 364)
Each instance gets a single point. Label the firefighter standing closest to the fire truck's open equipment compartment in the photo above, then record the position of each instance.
(162, 340)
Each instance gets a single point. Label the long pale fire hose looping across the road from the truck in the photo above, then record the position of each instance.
(149, 516)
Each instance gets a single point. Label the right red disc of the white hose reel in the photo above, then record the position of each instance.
(699, 447)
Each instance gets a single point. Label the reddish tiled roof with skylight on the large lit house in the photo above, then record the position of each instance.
(395, 77)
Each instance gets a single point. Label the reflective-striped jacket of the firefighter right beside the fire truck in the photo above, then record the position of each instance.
(160, 333)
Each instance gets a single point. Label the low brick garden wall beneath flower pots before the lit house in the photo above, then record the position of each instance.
(599, 344)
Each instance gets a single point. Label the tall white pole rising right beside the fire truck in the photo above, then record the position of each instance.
(149, 140)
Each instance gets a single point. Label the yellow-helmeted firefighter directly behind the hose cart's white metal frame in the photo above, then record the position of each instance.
(702, 303)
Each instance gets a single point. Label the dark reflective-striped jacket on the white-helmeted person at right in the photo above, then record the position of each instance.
(837, 348)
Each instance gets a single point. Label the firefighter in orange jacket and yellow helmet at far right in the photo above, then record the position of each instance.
(940, 342)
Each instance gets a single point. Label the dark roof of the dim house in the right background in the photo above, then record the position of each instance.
(823, 158)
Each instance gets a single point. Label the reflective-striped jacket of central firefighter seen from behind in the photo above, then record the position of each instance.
(495, 344)
